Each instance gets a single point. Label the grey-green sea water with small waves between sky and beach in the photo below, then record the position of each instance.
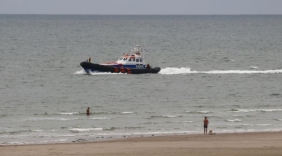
(227, 68)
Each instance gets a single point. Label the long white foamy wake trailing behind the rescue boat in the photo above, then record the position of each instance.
(187, 70)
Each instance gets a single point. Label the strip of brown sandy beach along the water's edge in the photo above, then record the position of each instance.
(236, 144)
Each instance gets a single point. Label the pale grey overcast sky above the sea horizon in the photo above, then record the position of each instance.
(141, 7)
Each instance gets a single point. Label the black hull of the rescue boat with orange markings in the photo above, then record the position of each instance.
(101, 68)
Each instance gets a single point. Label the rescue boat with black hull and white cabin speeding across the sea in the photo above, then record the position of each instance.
(132, 63)
